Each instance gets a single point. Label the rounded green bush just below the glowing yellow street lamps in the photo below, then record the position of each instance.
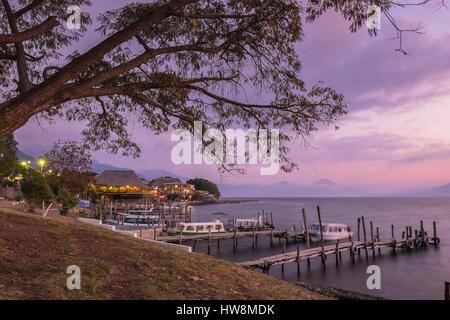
(35, 189)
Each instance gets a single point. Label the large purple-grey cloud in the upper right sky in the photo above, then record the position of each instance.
(368, 70)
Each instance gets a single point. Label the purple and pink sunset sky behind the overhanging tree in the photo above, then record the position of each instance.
(396, 135)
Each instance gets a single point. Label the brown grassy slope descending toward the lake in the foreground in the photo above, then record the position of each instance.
(35, 252)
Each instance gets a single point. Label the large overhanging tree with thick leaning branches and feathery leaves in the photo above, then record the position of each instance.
(166, 64)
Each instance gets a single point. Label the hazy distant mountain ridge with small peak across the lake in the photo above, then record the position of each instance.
(286, 189)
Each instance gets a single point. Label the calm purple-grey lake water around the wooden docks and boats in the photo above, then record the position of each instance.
(406, 275)
